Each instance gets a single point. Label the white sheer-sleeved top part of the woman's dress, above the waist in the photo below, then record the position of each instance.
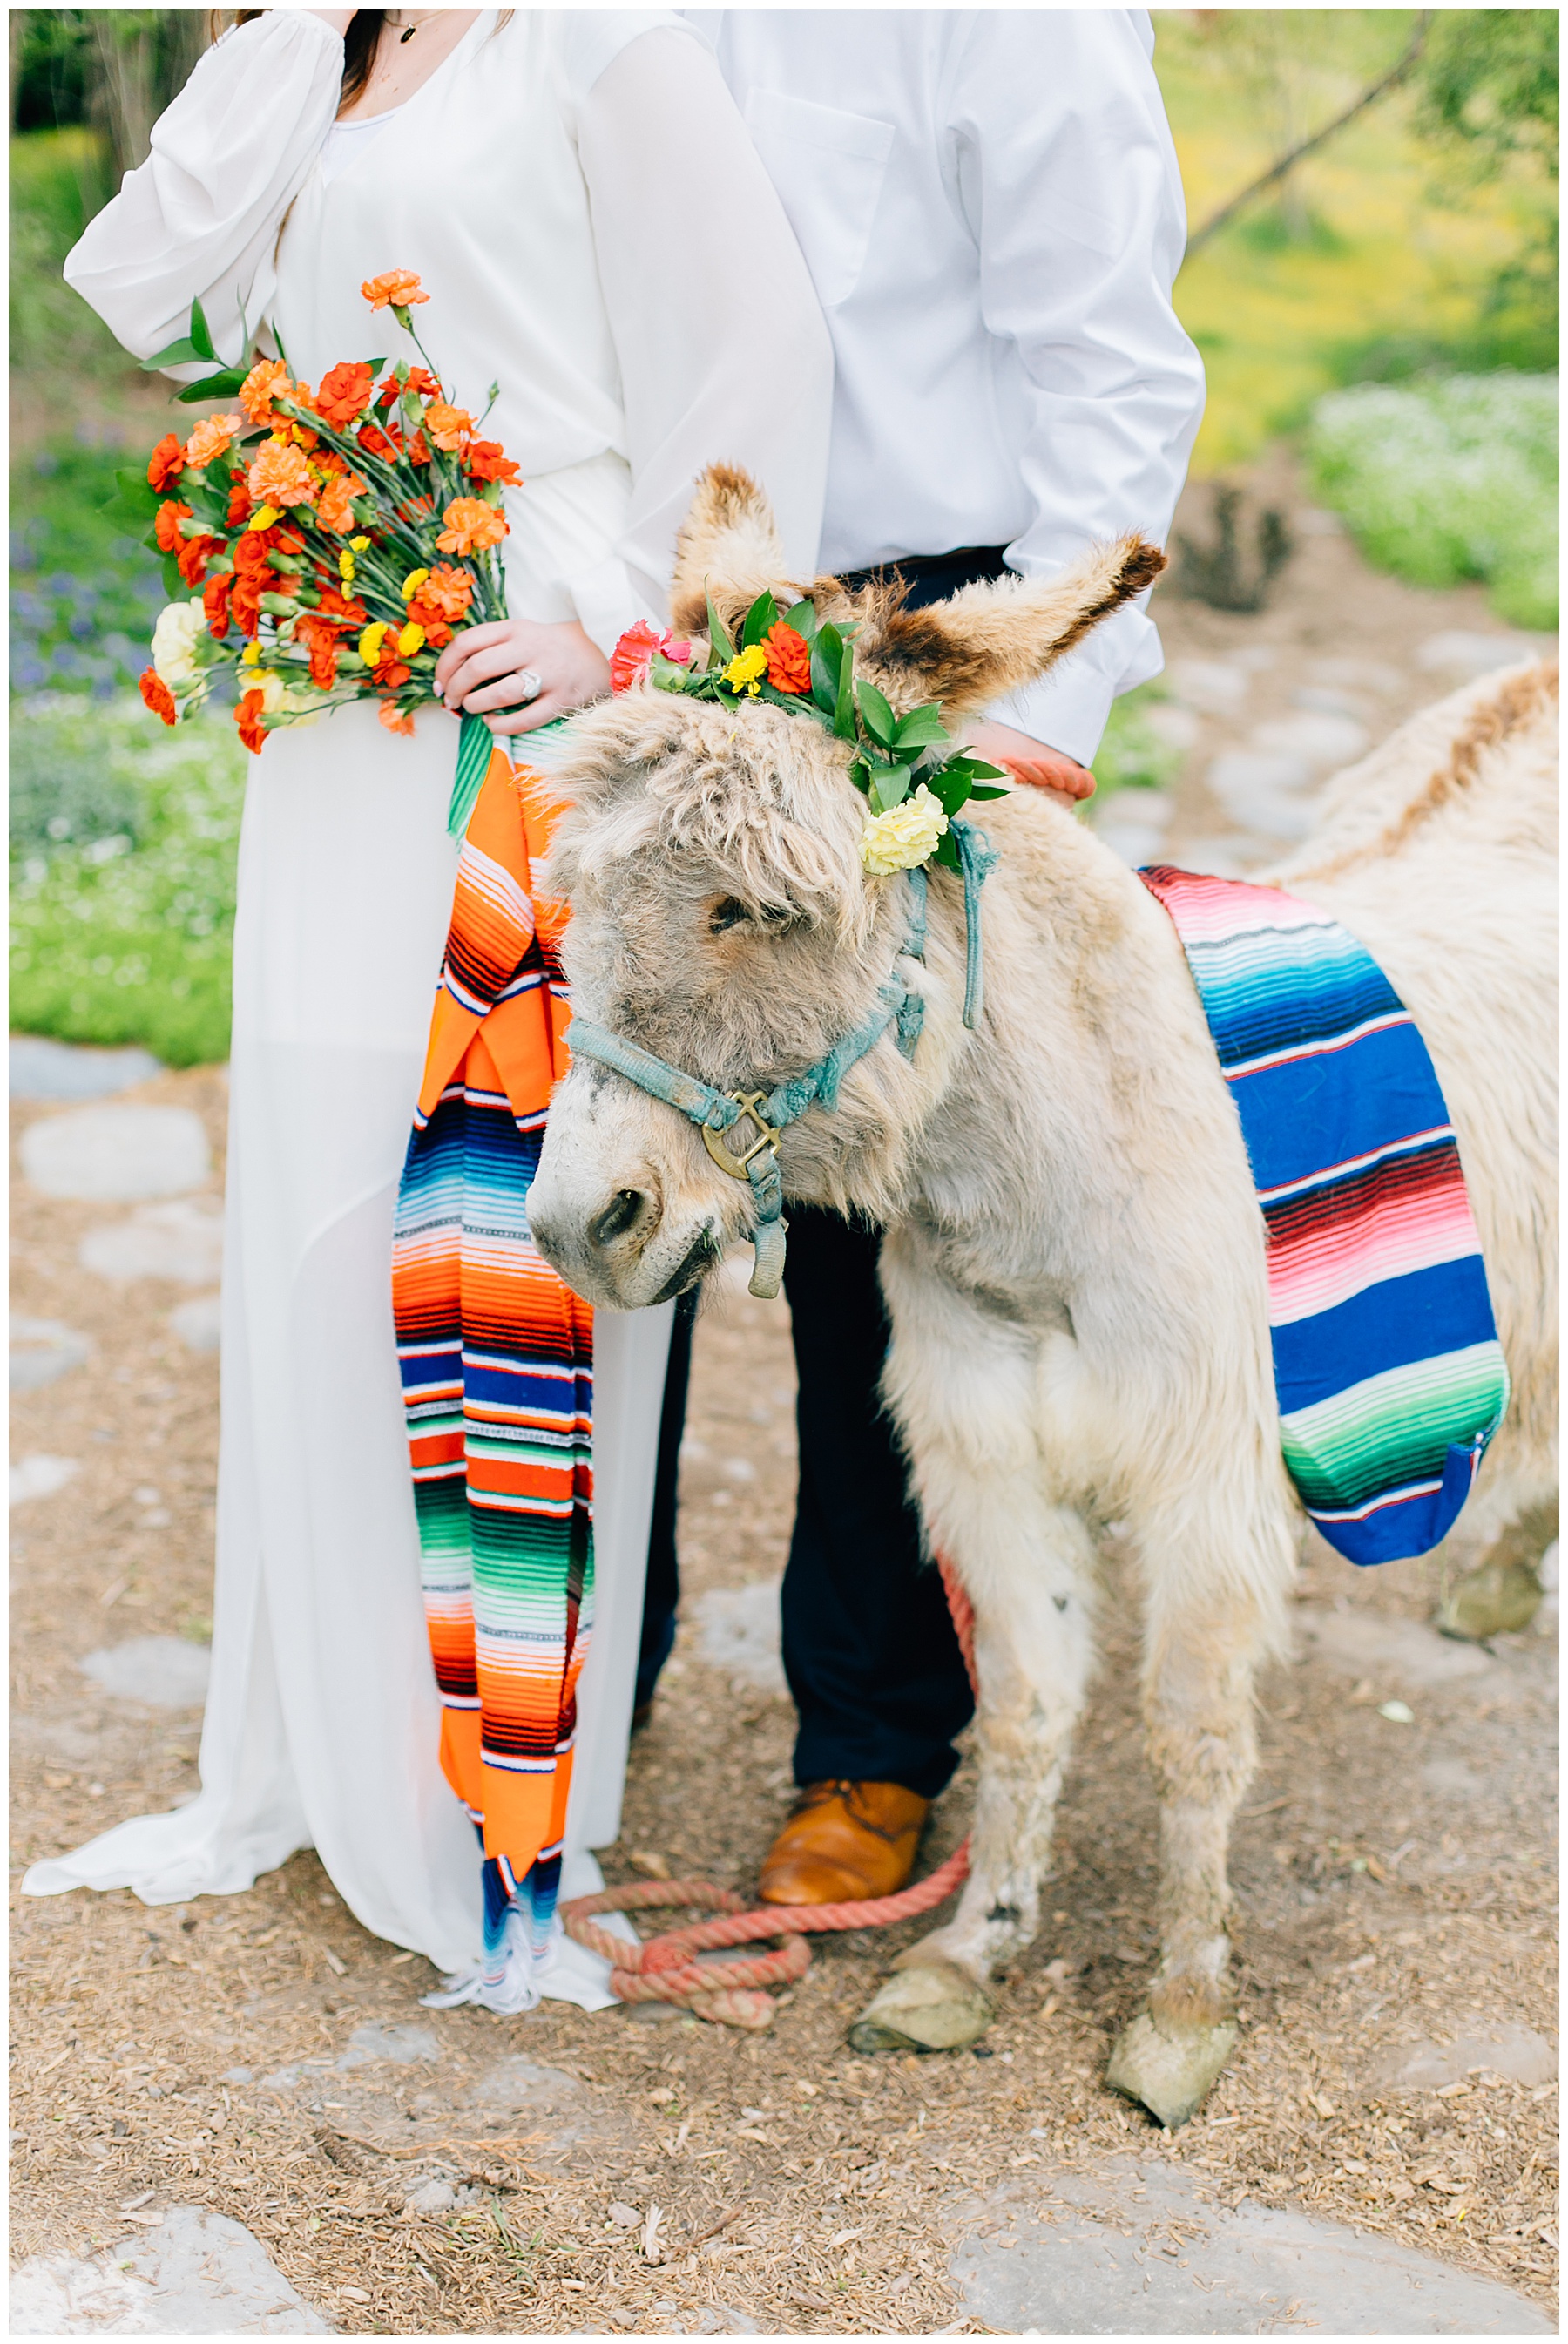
(594, 233)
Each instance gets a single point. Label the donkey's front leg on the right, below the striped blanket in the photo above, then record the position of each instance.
(1211, 1623)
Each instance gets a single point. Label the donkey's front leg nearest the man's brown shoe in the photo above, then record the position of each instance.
(967, 1401)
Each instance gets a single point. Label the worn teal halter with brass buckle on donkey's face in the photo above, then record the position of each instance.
(718, 1112)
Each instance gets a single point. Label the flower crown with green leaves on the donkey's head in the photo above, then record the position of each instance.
(805, 667)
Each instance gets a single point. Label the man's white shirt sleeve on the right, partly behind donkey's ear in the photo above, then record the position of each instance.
(1070, 182)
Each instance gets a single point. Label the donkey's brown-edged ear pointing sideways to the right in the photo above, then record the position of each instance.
(993, 639)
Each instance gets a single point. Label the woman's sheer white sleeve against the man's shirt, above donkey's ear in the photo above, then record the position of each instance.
(718, 332)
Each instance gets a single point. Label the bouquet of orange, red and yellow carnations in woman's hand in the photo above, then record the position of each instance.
(332, 540)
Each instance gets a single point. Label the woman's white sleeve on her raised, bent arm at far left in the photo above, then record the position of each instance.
(203, 214)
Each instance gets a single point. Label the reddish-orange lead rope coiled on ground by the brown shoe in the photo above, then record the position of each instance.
(735, 1994)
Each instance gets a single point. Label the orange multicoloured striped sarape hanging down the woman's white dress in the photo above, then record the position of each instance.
(498, 1386)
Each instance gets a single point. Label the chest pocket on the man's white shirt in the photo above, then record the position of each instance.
(829, 170)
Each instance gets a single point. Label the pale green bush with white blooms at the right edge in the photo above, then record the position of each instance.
(1445, 482)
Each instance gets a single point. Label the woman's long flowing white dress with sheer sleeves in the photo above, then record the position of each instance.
(596, 233)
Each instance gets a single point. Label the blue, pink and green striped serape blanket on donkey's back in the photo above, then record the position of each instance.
(1389, 1368)
